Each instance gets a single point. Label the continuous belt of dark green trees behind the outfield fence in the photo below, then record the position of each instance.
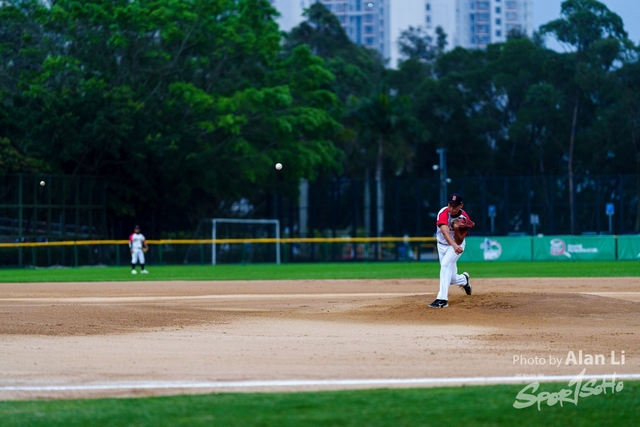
(184, 107)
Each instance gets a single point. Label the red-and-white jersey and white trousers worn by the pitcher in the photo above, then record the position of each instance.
(448, 257)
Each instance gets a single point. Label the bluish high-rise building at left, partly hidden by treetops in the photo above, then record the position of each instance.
(366, 22)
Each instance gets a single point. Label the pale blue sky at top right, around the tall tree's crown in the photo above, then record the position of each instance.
(629, 10)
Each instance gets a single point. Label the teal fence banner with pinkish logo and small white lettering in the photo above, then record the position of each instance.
(574, 248)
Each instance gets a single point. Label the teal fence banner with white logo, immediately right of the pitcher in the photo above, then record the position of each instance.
(498, 248)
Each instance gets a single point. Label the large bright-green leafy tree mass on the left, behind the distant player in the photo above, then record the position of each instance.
(180, 105)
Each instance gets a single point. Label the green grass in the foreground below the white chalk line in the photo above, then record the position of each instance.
(445, 406)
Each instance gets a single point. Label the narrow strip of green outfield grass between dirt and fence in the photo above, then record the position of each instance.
(381, 270)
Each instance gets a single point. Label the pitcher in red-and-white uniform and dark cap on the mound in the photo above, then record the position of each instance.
(452, 225)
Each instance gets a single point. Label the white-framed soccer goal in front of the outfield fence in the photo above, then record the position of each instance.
(254, 252)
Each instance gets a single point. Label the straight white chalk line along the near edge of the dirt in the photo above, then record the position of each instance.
(312, 383)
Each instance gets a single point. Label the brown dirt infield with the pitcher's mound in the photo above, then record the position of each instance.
(121, 334)
